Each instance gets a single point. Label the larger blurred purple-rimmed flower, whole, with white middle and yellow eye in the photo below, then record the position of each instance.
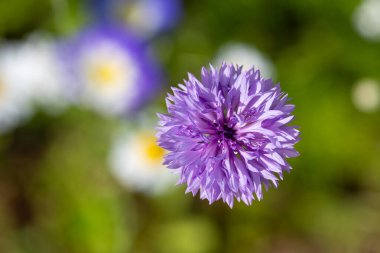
(111, 70)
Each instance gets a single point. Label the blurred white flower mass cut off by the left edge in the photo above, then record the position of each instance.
(29, 77)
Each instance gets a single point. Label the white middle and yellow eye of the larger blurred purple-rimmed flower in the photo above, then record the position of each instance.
(109, 77)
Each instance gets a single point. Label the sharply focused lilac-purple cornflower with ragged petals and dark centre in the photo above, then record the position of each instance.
(227, 134)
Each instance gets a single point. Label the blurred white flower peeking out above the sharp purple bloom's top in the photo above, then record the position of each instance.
(248, 56)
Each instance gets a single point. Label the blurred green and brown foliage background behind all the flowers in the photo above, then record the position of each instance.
(57, 194)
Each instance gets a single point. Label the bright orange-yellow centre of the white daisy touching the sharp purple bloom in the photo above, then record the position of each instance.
(150, 149)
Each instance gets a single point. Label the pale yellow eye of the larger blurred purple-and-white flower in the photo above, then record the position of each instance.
(105, 74)
